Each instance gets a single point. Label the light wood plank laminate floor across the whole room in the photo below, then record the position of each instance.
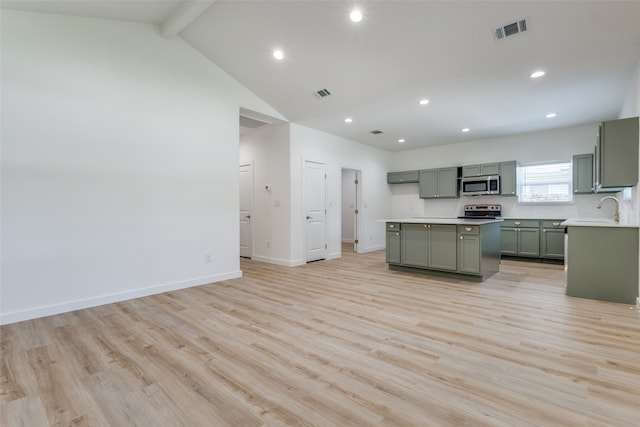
(343, 342)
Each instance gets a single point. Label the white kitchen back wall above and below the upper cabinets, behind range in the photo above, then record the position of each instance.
(555, 145)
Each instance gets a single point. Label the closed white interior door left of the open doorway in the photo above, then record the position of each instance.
(314, 210)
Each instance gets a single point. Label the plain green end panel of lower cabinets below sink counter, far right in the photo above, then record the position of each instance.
(602, 263)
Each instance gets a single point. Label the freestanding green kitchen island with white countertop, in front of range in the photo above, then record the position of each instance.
(465, 248)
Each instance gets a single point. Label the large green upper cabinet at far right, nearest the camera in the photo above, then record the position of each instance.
(617, 154)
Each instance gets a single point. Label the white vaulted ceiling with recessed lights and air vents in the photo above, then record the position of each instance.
(377, 70)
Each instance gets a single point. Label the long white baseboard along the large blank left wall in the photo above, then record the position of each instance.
(50, 310)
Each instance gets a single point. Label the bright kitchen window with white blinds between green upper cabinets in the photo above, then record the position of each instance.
(545, 183)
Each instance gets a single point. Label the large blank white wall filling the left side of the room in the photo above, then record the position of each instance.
(119, 164)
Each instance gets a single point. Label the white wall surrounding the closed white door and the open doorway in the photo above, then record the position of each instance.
(338, 153)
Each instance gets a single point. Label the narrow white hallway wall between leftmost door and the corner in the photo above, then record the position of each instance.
(268, 148)
